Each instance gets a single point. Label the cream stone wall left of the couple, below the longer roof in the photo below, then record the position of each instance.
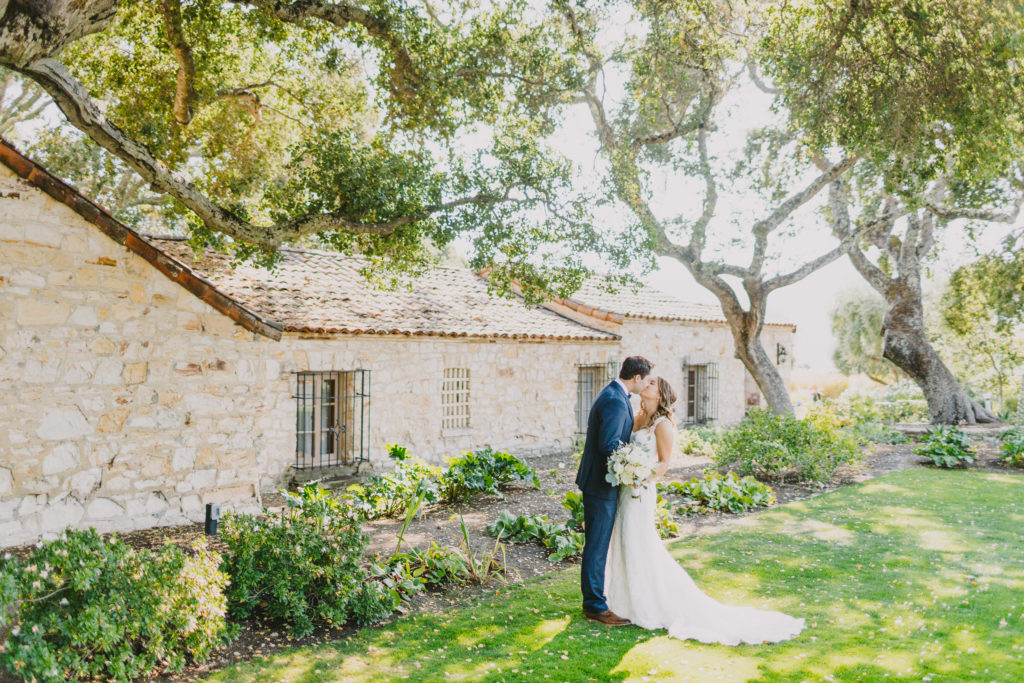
(129, 403)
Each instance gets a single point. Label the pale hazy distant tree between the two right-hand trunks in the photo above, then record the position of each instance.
(857, 323)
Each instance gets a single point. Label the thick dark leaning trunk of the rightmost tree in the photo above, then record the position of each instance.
(905, 344)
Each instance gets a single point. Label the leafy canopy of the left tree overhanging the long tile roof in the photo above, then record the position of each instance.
(381, 127)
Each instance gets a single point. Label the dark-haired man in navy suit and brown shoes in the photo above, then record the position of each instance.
(611, 424)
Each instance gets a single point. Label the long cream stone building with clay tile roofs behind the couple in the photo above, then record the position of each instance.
(142, 381)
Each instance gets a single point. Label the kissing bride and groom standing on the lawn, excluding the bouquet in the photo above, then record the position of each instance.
(628, 575)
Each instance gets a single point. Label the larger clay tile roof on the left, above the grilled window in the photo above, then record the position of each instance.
(324, 293)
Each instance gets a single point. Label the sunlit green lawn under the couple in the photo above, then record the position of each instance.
(917, 576)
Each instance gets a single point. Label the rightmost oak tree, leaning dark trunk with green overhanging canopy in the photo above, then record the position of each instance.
(929, 95)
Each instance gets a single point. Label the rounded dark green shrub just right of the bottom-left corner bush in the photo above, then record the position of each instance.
(302, 567)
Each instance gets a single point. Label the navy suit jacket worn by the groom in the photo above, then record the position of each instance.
(611, 423)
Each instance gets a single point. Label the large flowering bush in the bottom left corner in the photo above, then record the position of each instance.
(84, 608)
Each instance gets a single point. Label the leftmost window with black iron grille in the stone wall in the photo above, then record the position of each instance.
(332, 423)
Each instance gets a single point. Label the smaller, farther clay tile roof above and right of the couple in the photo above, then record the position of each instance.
(649, 304)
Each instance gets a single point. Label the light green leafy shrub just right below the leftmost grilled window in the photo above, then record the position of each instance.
(392, 494)
